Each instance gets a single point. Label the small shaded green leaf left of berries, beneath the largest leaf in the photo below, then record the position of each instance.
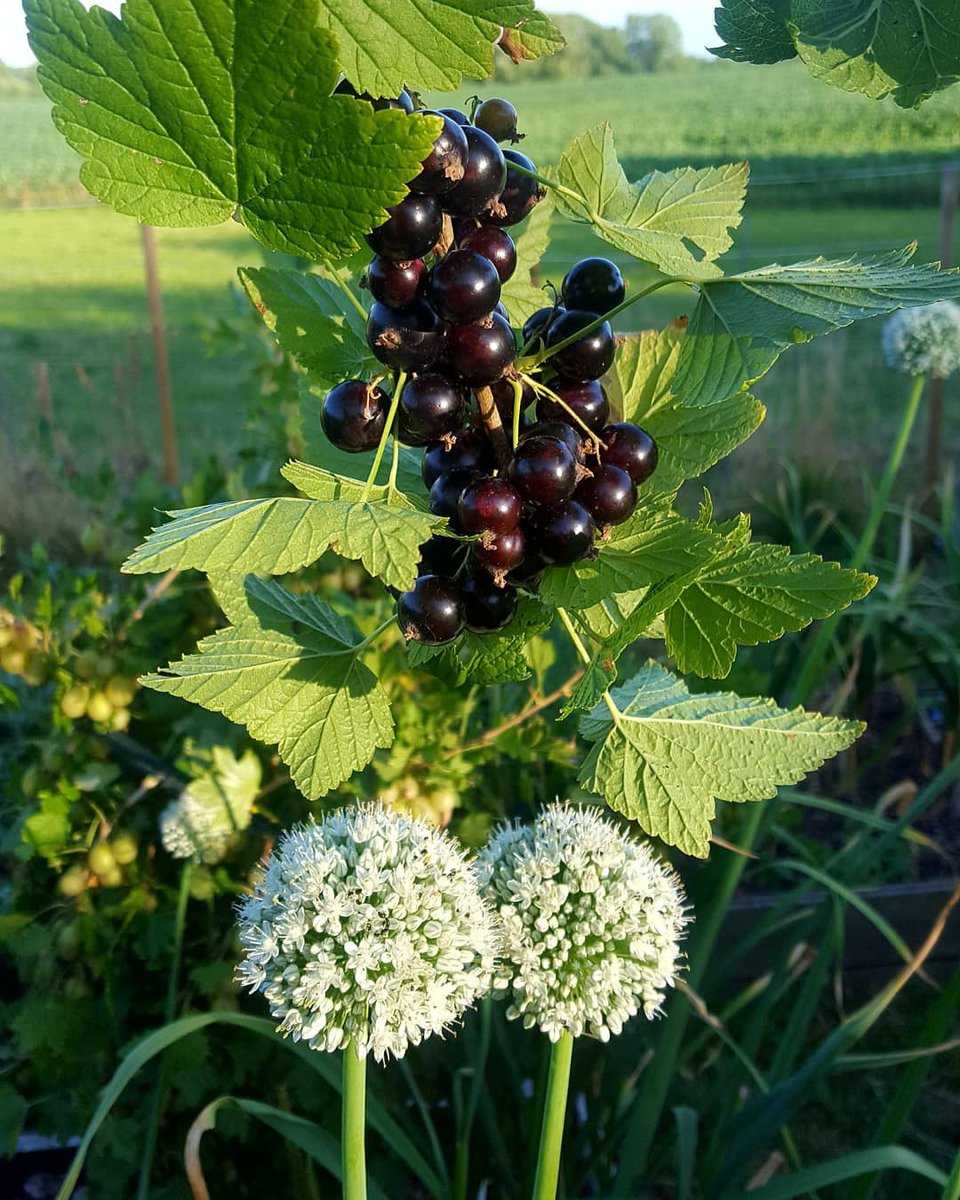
(313, 321)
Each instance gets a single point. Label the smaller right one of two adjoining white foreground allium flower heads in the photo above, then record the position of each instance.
(591, 923)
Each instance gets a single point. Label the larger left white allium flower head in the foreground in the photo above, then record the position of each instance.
(368, 929)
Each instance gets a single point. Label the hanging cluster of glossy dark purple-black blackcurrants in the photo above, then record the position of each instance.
(441, 260)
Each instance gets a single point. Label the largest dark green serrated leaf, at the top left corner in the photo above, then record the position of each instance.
(193, 112)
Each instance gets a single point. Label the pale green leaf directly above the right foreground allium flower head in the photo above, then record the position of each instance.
(664, 757)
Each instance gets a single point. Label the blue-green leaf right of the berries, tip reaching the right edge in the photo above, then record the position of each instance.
(743, 323)
